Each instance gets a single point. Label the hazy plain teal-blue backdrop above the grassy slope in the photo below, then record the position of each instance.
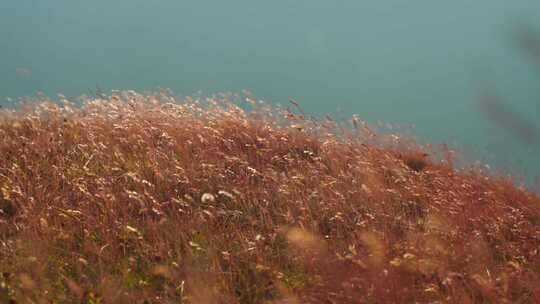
(408, 63)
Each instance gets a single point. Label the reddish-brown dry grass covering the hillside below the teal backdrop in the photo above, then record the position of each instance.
(143, 199)
